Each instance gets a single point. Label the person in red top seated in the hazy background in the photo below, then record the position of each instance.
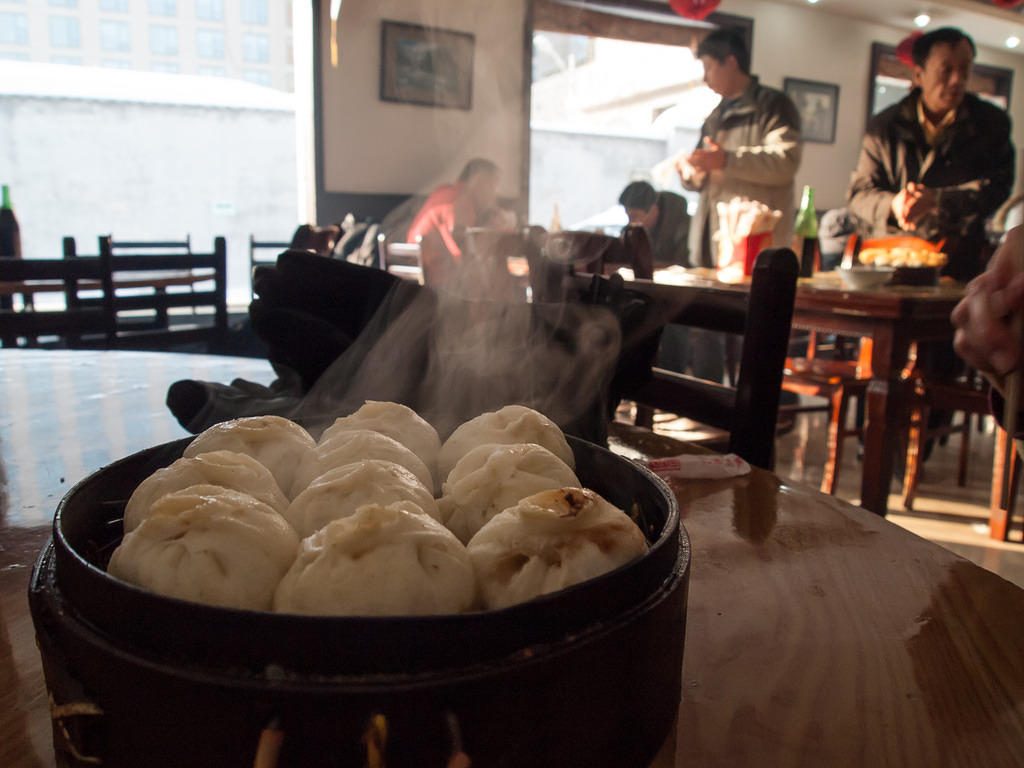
(449, 210)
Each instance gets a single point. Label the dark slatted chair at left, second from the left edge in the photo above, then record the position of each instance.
(165, 301)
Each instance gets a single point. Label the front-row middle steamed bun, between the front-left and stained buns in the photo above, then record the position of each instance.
(390, 561)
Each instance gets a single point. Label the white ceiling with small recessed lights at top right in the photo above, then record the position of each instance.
(988, 24)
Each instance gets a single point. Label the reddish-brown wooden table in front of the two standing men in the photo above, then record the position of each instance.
(892, 317)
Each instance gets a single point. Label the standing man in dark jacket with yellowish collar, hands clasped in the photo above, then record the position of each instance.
(941, 162)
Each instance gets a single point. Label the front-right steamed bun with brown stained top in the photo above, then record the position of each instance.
(551, 541)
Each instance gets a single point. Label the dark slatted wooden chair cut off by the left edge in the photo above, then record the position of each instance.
(59, 317)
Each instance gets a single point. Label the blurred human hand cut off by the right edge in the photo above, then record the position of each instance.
(985, 317)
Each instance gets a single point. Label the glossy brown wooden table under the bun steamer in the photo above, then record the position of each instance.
(818, 633)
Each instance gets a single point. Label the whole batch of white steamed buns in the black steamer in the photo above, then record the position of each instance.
(361, 536)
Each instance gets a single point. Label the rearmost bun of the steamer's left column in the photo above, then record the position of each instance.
(278, 444)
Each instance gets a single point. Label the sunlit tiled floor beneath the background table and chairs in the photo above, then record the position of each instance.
(952, 517)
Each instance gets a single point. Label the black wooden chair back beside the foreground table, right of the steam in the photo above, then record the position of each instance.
(749, 412)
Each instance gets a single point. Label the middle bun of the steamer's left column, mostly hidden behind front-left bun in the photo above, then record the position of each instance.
(229, 470)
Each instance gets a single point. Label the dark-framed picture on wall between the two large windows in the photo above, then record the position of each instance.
(426, 66)
